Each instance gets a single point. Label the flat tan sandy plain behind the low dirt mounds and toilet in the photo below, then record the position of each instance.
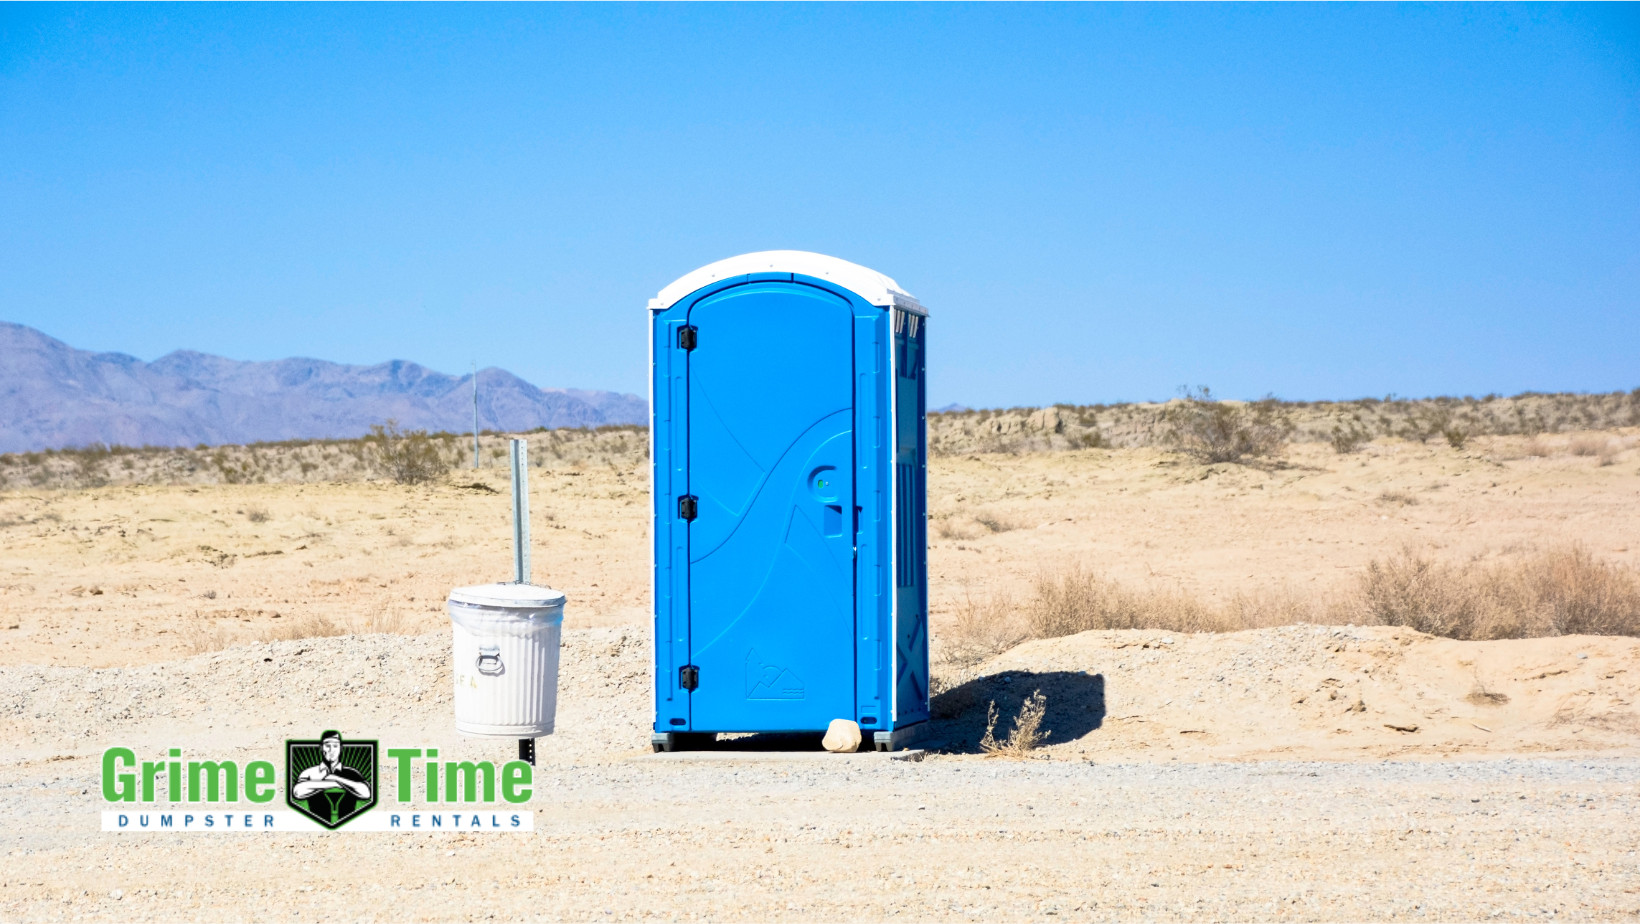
(139, 574)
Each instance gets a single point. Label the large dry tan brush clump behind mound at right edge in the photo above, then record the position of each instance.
(1557, 593)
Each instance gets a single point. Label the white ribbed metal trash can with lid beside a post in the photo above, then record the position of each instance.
(506, 669)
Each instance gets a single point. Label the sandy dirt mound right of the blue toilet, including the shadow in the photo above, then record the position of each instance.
(1306, 692)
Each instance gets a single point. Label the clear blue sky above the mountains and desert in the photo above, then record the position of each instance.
(1098, 203)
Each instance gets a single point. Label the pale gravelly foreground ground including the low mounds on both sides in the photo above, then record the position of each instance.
(1147, 802)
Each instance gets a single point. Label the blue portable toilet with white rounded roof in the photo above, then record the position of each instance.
(790, 455)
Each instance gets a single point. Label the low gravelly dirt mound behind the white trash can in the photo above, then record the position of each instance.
(253, 697)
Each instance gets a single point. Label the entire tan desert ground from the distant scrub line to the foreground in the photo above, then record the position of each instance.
(1306, 769)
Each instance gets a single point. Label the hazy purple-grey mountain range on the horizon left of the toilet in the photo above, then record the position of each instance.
(55, 396)
